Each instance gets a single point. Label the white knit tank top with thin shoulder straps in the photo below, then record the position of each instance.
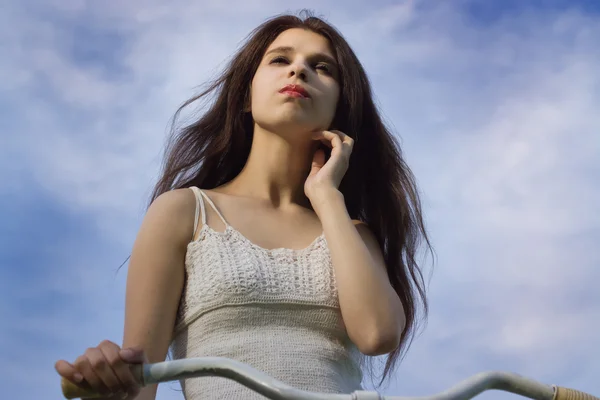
(275, 310)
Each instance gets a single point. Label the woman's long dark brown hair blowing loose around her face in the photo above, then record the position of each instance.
(379, 188)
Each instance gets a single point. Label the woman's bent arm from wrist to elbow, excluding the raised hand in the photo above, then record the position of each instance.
(371, 309)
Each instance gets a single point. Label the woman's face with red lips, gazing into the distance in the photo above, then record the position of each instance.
(302, 58)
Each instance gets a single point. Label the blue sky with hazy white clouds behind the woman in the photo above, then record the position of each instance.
(496, 104)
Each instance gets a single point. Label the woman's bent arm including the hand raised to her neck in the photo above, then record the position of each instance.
(371, 309)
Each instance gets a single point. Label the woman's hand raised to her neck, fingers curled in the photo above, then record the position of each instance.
(325, 176)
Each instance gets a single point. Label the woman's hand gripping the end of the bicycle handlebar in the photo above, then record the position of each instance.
(106, 369)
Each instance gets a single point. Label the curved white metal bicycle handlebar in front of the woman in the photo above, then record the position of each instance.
(258, 381)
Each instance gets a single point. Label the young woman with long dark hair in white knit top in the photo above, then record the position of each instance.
(297, 255)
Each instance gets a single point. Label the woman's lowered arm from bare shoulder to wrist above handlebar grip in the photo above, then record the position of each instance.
(155, 277)
